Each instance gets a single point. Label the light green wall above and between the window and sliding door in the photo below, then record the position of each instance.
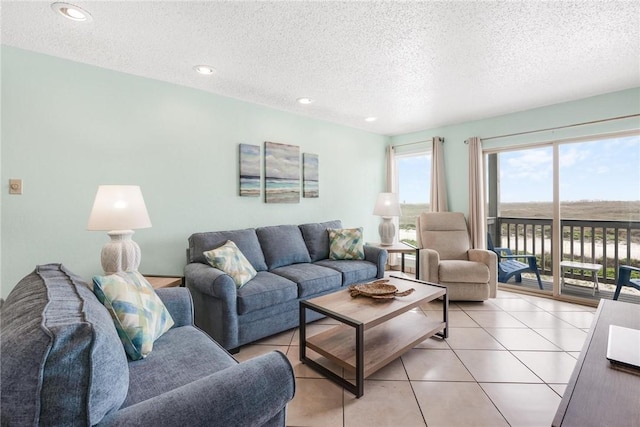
(456, 156)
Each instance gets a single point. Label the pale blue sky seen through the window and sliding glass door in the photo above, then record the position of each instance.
(596, 170)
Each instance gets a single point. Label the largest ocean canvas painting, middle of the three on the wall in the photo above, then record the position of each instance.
(281, 173)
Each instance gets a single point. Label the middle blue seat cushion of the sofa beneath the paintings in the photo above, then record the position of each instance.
(311, 279)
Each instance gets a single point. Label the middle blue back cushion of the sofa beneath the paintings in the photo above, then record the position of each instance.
(282, 245)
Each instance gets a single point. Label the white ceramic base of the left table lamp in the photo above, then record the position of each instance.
(121, 253)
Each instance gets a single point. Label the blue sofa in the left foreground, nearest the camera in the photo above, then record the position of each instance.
(63, 364)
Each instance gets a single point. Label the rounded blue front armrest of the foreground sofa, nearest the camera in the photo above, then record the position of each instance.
(250, 393)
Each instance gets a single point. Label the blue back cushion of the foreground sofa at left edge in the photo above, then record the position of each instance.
(62, 360)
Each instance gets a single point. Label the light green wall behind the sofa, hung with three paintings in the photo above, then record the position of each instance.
(68, 127)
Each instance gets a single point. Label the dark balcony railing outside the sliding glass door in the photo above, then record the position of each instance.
(609, 243)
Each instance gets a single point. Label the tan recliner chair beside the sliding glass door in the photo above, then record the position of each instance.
(446, 257)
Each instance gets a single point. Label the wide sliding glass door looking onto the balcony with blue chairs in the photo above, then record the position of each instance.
(575, 205)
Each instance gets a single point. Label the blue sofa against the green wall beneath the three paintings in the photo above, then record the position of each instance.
(292, 264)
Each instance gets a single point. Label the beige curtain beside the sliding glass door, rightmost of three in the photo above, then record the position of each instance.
(477, 221)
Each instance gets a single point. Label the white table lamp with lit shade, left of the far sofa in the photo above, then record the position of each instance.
(119, 209)
